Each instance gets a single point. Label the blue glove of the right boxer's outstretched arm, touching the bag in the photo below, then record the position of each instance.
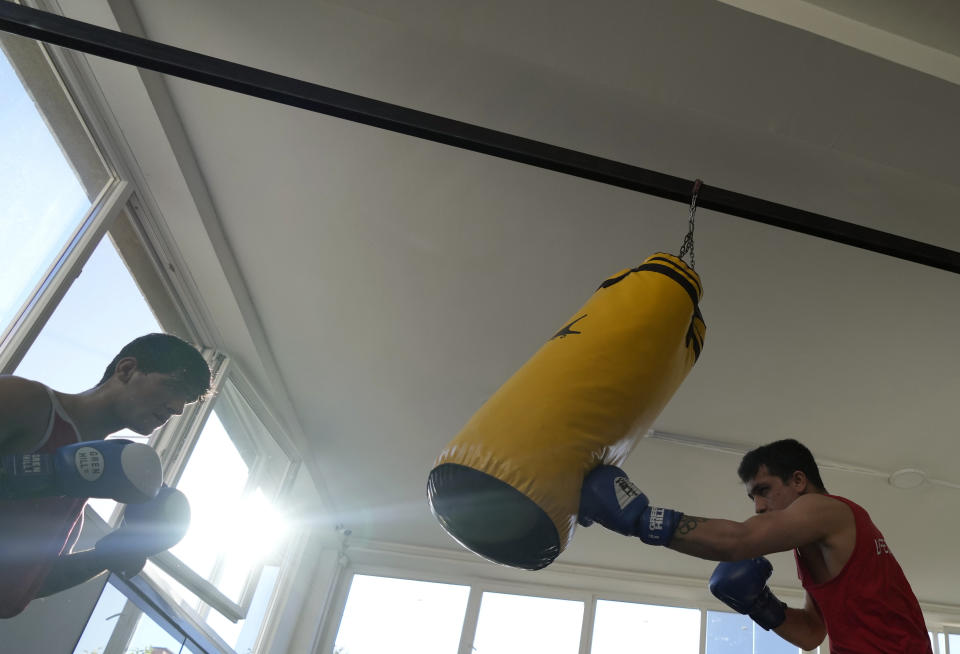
(610, 498)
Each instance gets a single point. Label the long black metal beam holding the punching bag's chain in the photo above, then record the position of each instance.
(162, 58)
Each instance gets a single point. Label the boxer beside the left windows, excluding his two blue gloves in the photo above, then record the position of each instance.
(151, 379)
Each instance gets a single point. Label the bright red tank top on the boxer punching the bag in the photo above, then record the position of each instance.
(869, 608)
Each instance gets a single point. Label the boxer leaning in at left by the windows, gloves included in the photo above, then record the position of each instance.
(53, 457)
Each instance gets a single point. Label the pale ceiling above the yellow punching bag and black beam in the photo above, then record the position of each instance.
(400, 282)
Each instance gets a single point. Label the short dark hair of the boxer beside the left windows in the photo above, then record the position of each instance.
(169, 355)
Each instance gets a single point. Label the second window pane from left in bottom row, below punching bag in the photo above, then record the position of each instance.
(518, 624)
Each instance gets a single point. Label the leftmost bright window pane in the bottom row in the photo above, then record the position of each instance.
(400, 616)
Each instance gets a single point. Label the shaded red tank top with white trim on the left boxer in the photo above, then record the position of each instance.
(36, 532)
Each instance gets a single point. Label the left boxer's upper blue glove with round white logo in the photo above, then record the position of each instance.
(118, 469)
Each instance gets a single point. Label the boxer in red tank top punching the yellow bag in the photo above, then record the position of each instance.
(869, 609)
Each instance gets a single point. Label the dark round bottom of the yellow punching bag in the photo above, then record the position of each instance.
(492, 518)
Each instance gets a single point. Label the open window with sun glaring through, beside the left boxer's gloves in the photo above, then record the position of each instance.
(236, 475)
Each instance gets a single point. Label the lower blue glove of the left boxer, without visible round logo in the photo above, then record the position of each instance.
(147, 529)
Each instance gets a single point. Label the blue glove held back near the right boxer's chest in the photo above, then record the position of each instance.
(742, 585)
